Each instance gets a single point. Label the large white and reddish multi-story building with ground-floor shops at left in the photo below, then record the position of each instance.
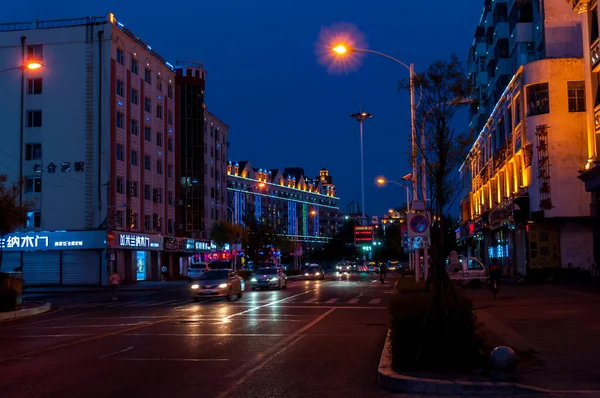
(96, 149)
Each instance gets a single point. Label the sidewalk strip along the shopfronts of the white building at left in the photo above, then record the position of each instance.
(135, 287)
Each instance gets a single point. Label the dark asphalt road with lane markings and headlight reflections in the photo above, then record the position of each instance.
(314, 339)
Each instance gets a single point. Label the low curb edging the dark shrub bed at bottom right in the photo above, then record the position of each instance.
(397, 382)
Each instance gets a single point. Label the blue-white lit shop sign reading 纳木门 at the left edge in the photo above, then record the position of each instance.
(32, 241)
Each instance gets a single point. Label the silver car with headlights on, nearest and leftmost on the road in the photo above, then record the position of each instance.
(218, 283)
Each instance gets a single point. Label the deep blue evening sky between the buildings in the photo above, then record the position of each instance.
(264, 81)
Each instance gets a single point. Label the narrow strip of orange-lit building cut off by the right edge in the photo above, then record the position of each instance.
(590, 169)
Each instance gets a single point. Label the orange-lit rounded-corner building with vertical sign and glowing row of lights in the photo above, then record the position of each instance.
(525, 206)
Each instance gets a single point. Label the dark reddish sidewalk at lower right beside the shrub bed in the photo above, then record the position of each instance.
(554, 330)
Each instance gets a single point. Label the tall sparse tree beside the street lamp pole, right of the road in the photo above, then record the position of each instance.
(442, 89)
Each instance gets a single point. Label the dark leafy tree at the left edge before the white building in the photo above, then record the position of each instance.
(12, 215)
